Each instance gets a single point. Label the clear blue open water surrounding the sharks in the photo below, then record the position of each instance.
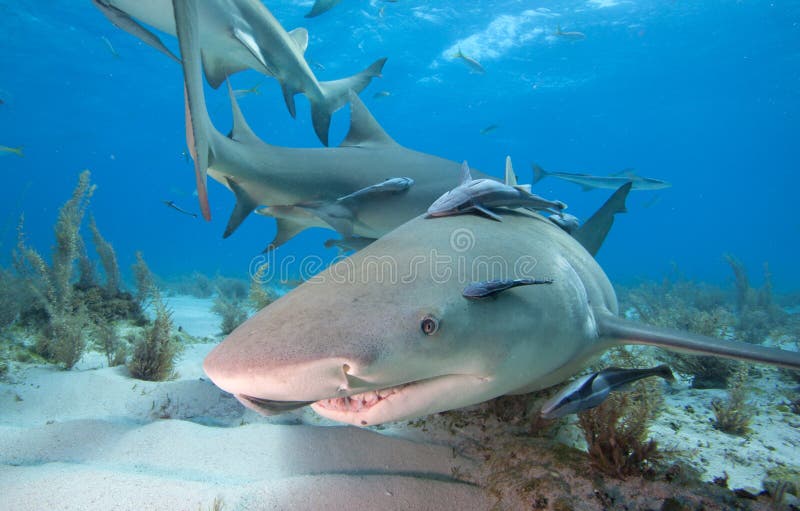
(701, 94)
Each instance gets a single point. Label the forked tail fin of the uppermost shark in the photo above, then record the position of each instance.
(335, 94)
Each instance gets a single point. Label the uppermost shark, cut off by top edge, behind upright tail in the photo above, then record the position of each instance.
(243, 34)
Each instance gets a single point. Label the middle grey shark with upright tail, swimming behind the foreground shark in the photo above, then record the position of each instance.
(304, 182)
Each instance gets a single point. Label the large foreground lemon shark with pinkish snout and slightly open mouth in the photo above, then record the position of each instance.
(388, 334)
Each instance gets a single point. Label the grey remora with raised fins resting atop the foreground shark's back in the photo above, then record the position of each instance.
(483, 194)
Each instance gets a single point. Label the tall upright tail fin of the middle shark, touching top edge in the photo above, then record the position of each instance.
(198, 123)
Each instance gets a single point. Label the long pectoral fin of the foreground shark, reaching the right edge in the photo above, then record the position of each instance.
(617, 331)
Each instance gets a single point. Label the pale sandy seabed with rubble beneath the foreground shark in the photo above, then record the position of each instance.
(95, 438)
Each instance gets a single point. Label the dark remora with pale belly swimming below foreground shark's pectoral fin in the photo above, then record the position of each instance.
(591, 390)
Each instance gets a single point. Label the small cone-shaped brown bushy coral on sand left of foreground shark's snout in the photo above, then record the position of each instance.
(154, 355)
